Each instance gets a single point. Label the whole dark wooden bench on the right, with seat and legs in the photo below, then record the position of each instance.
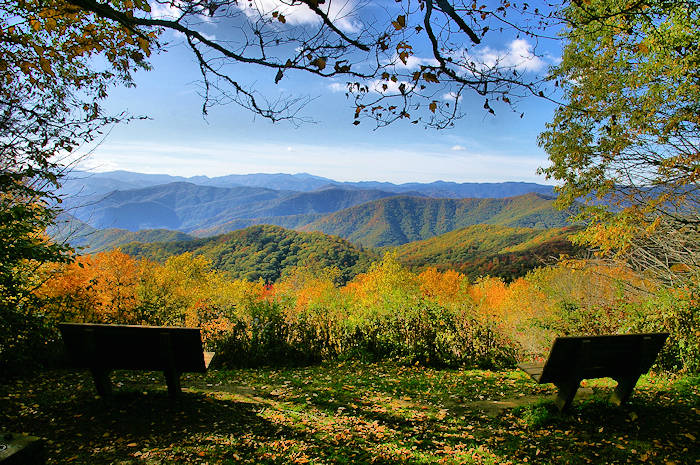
(623, 357)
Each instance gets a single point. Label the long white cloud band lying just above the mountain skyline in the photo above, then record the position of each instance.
(343, 162)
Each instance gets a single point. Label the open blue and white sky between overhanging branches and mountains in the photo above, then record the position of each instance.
(178, 139)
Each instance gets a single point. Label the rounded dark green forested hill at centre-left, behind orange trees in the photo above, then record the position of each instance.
(265, 252)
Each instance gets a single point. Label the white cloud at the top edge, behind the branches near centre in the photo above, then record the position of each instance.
(341, 12)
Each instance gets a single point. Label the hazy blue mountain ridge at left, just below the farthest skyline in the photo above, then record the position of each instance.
(187, 207)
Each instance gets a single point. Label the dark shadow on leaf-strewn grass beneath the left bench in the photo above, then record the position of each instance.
(146, 426)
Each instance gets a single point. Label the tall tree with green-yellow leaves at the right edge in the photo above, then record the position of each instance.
(627, 141)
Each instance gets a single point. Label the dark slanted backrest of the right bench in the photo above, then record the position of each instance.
(601, 356)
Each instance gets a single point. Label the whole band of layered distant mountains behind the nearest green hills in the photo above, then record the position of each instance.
(145, 201)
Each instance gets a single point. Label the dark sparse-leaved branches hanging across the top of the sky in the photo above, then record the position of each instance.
(408, 60)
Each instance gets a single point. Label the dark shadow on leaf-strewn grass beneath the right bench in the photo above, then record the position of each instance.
(646, 430)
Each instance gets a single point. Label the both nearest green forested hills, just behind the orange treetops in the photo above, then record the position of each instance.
(267, 251)
